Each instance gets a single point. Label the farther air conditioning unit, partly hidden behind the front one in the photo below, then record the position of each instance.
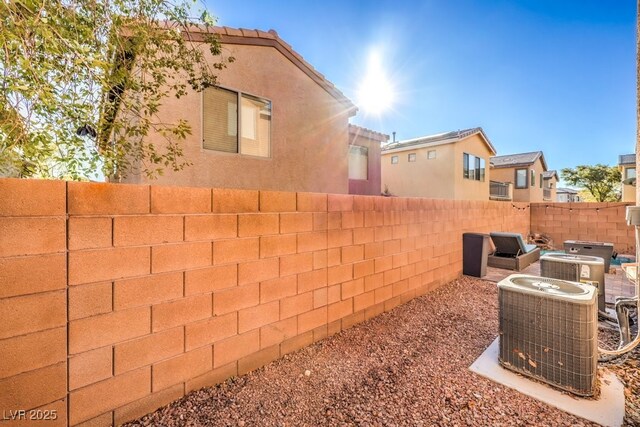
(576, 268)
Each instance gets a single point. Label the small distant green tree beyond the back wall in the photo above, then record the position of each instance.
(601, 181)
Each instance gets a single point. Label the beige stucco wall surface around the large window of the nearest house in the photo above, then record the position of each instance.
(309, 130)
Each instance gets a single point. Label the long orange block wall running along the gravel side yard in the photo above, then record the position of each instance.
(117, 299)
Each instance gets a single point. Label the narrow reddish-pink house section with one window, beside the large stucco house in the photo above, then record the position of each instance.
(364, 160)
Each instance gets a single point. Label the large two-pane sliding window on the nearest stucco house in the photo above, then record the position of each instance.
(222, 120)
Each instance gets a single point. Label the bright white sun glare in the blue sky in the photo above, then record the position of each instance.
(375, 93)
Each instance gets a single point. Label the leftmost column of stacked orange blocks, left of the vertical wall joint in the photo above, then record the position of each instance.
(33, 299)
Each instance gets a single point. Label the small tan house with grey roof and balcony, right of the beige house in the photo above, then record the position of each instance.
(524, 171)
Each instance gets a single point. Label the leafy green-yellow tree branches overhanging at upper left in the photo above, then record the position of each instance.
(83, 81)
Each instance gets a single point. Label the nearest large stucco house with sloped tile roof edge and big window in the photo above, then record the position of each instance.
(274, 122)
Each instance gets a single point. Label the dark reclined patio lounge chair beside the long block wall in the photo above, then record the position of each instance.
(511, 252)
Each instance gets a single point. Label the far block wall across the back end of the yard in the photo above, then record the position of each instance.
(601, 222)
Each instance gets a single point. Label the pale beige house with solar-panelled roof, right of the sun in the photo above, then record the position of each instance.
(449, 165)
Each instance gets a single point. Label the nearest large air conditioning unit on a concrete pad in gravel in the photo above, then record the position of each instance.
(548, 331)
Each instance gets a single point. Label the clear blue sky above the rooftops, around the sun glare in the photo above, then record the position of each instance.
(550, 75)
